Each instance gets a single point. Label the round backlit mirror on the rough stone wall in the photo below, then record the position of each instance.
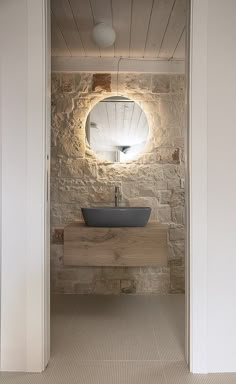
(117, 129)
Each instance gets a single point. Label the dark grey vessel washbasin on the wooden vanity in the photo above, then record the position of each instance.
(116, 216)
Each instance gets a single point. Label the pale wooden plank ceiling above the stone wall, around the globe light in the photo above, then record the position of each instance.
(145, 28)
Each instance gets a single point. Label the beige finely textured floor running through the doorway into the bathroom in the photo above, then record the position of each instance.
(117, 340)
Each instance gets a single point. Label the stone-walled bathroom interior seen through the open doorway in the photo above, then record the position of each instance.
(118, 143)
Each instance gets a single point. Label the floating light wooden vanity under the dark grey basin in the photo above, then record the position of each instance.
(124, 246)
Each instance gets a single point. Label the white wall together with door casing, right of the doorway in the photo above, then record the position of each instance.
(212, 139)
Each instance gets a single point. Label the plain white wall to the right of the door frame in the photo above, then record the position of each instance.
(221, 228)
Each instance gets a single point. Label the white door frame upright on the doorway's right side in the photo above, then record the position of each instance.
(196, 160)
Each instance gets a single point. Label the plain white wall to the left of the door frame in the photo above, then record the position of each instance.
(13, 127)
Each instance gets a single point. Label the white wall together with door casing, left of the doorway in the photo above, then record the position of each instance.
(22, 127)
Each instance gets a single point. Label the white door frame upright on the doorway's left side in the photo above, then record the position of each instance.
(38, 147)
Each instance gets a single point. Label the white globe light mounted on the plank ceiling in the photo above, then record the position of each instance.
(103, 35)
